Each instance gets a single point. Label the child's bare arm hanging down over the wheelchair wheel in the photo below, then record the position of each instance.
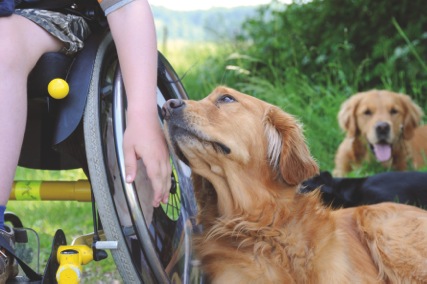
(133, 30)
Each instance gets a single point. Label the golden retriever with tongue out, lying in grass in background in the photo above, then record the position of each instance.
(382, 125)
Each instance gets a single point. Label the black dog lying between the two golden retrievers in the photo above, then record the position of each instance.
(402, 187)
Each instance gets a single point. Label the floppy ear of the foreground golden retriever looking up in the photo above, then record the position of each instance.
(287, 151)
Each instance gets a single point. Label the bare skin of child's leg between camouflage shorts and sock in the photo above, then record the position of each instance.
(25, 43)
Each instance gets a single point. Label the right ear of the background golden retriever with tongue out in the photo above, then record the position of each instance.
(412, 116)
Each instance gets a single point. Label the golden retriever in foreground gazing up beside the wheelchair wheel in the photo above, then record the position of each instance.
(248, 159)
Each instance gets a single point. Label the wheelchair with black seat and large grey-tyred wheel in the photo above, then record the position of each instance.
(85, 131)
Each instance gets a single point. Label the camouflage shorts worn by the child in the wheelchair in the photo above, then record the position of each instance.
(70, 29)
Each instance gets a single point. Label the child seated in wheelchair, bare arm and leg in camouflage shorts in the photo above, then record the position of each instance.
(29, 33)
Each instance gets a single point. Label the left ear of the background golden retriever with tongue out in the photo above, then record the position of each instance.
(347, 116)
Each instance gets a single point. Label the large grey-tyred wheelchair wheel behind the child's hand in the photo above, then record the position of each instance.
(154, 244)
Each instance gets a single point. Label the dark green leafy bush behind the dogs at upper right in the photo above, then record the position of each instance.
(365, 44)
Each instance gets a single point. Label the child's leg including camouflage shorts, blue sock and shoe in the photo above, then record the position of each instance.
(25, 43)
